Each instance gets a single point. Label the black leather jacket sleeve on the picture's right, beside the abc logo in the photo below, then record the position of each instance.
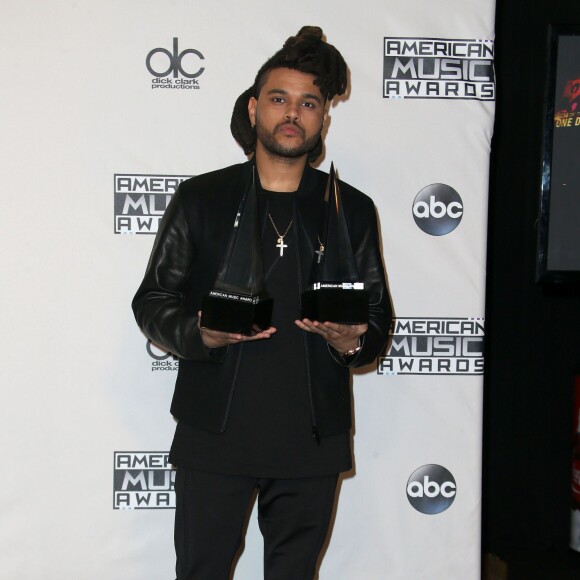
(372, 273)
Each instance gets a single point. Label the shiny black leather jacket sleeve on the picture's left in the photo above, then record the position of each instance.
(160, 309)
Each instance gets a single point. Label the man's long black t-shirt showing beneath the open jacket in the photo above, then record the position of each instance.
(269, 429)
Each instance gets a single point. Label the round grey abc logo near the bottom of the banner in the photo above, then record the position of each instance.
(431, 489)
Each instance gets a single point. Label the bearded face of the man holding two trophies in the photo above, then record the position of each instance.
(288, 114)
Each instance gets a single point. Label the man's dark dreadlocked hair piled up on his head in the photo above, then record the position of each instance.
(308, 53)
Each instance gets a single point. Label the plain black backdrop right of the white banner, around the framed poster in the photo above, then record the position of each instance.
(533, 333)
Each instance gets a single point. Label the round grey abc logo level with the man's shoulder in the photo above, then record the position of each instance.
(437, 209)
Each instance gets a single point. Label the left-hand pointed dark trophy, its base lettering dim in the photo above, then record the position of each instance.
(239, 302)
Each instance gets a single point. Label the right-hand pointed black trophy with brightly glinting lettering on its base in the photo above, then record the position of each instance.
(335, 292)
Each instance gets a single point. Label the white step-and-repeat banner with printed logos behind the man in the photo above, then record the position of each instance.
(106, 108)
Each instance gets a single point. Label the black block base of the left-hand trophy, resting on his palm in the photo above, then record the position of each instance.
(239, 313)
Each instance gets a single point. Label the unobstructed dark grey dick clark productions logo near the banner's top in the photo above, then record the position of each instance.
(185, 67)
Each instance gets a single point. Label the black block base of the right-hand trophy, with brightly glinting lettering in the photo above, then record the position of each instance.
(344, 303)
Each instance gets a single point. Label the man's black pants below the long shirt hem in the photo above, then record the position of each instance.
(293, 515)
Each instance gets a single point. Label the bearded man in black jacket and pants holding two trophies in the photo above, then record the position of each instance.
(269, 411)
